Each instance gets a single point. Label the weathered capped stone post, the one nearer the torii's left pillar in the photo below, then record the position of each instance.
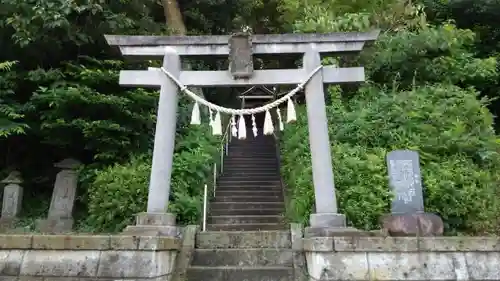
(60, 217)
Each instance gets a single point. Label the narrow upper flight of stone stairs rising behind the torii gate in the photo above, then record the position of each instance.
(249, 194)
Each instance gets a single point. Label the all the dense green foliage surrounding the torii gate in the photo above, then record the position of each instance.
(433, 81)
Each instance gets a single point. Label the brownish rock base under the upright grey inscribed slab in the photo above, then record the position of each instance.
(418, 224)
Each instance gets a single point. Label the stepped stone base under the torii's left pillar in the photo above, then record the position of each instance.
(154, 224)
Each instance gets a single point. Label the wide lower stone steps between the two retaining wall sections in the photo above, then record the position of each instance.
(242, 255)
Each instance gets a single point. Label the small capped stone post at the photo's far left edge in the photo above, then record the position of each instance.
(12, 199)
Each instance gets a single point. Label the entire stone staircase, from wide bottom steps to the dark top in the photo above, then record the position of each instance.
(247, 238)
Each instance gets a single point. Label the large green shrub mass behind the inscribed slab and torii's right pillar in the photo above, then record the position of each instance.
(449, 126)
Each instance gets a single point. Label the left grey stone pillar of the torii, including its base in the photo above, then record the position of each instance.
(156, 221)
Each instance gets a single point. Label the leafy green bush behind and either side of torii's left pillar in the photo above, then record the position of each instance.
(119, 192)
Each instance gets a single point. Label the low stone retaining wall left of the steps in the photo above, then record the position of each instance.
(79, 257)
